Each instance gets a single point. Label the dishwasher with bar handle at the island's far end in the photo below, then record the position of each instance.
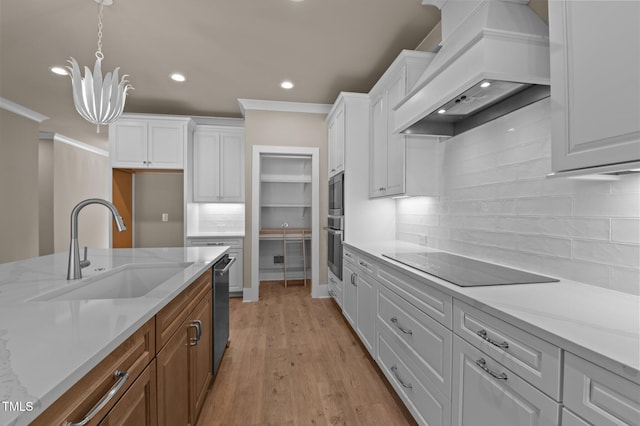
(220, 308)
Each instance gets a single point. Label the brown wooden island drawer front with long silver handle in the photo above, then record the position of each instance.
(132, 356)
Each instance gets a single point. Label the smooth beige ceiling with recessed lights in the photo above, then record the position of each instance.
(228, 49)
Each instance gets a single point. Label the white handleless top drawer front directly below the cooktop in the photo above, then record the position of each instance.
(433, 302)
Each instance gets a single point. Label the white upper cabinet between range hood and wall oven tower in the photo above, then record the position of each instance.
(400, 165)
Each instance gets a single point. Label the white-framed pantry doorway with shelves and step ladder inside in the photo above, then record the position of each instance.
(285, 217)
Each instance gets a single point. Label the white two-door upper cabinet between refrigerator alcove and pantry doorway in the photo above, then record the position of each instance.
(218, 164)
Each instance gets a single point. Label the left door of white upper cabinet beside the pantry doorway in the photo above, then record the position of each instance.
(206, 157)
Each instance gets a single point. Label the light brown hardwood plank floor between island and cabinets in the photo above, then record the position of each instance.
(294, 360)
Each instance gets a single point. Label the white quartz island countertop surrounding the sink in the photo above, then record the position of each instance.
(47, 346)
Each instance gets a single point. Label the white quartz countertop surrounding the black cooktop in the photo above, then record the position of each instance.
(597, 324)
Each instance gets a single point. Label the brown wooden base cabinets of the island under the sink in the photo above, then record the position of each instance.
(160, 375)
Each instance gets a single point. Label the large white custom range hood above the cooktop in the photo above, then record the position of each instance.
(494, 59)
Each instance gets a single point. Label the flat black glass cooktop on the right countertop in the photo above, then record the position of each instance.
(466, 272)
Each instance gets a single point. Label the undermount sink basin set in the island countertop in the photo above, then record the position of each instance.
(125, 282)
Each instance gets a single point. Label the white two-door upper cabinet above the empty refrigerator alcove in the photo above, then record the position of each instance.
(148, 142)
